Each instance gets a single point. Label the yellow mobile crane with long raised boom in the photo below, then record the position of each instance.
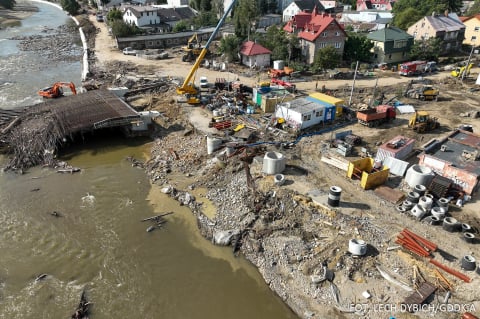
(188, 87)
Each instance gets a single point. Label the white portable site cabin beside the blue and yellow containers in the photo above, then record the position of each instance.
(301, 113)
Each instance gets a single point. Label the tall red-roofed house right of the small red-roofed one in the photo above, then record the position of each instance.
(321, 31)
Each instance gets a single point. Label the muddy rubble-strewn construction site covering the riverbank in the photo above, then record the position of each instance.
(353, 199)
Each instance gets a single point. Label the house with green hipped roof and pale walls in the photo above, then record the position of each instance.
(390, 45)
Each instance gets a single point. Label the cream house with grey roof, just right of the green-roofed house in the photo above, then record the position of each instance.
(446, 27)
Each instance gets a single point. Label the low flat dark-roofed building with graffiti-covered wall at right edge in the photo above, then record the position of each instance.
(457, 158)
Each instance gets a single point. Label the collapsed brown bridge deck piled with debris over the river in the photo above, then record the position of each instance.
(33, 135)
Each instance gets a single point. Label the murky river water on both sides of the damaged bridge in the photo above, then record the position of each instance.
(99, 242)
